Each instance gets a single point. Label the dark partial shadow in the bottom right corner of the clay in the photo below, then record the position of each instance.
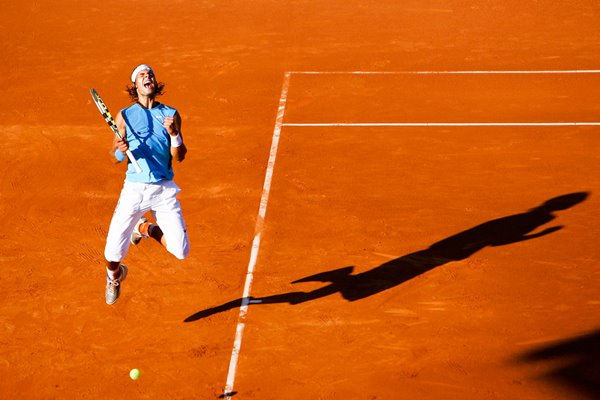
(575, 361)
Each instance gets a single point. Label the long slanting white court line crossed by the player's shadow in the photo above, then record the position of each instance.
(262, 211)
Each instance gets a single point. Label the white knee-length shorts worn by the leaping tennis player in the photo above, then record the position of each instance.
(138, 198)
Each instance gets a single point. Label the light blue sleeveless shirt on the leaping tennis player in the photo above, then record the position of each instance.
(149, 143)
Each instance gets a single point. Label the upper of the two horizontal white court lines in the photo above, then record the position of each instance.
(474, 72)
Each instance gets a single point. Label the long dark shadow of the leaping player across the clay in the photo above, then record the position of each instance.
(497, 232)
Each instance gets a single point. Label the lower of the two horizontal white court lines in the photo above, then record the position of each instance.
(447, 124)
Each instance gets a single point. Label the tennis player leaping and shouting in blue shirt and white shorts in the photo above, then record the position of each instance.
(152, 131)
